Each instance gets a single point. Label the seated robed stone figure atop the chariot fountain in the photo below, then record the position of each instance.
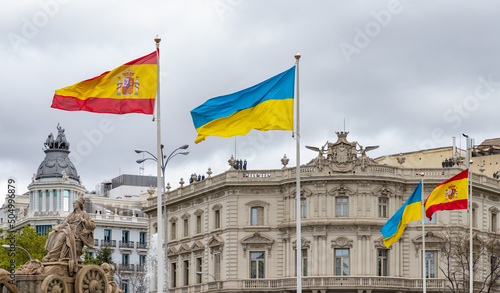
(67, 240)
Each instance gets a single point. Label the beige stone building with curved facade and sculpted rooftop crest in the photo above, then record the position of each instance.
(240, 226)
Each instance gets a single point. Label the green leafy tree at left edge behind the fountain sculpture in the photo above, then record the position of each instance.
(26, 238)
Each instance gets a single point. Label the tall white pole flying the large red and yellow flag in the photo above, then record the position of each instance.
(159, 248)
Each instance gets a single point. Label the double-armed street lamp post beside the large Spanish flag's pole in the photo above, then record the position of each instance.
(163, 164)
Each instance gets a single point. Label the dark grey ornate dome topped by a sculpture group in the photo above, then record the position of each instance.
(57, 163)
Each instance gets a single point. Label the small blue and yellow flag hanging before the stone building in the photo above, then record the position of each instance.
(410, 211)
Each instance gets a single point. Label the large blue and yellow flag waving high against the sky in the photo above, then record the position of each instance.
(265, 106)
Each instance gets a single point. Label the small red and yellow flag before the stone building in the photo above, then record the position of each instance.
(449, 195)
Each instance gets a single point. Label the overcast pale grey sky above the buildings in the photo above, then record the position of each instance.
(405, 75)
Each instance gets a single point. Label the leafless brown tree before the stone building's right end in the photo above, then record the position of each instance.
(456, 260)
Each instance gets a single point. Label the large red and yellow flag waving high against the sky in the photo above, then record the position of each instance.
(119, 91)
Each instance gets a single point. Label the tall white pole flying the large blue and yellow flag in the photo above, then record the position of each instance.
(297, 189)
